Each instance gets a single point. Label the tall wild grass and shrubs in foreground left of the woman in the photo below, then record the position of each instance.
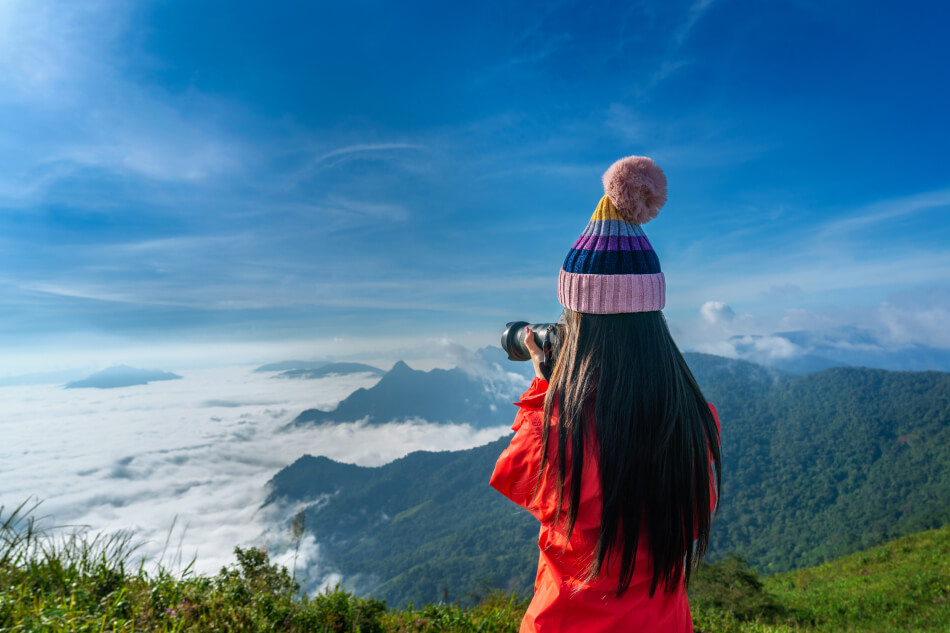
(83, 583)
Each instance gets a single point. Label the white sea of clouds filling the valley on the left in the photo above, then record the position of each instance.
(184, 463)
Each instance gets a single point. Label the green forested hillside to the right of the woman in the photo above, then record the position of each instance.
(832, 462)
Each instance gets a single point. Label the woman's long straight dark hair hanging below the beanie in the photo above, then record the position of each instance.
(620, 380)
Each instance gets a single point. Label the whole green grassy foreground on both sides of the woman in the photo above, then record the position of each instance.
(81, 582)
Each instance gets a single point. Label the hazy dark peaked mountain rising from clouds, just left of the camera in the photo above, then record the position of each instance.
(437, 396)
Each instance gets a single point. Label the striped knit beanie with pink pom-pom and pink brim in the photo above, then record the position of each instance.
(612, 267)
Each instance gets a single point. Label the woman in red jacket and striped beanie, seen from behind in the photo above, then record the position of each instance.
(624, 524)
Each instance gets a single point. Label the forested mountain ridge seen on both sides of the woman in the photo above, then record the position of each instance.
(814, 467)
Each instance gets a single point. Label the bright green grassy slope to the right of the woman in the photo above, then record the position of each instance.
(903, 585)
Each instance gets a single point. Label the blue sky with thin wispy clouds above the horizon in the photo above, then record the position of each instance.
(263, 180)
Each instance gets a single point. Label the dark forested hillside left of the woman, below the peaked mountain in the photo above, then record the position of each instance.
(419, 528)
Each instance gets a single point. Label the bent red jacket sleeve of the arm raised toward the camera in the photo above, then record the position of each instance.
(516, 471)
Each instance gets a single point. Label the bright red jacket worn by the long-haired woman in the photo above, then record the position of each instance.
(595, 608)
